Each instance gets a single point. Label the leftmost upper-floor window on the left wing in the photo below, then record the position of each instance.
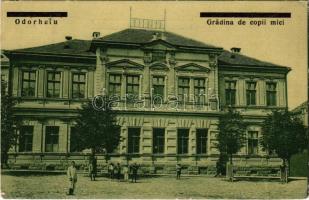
(28, 84)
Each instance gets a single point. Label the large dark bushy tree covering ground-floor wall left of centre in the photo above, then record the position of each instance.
(96, 127)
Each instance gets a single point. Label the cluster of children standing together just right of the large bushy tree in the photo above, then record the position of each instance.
(116, 171)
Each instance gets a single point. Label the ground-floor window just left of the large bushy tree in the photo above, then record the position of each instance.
(51, 138)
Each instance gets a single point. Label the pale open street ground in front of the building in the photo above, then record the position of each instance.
(55, 186)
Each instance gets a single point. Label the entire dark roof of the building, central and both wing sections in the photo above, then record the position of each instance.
(141, 36)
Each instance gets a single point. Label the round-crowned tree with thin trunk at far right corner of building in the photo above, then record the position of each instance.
(284, 134)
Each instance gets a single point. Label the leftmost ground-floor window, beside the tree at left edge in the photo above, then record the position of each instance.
(25, 139)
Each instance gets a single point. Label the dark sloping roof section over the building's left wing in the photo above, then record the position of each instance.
(70, 47)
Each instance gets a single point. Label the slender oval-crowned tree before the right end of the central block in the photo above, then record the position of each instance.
(231, 136)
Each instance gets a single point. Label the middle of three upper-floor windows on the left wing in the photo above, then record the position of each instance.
(53, 84)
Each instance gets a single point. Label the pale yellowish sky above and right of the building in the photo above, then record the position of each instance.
(280, 44)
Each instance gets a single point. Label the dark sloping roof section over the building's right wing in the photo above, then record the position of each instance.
(231, 58)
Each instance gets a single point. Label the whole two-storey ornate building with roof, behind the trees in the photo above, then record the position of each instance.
(169, 90)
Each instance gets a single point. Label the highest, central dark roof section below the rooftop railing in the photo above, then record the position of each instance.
(142, 36)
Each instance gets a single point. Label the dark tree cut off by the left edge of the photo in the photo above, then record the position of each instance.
(8, 134)
